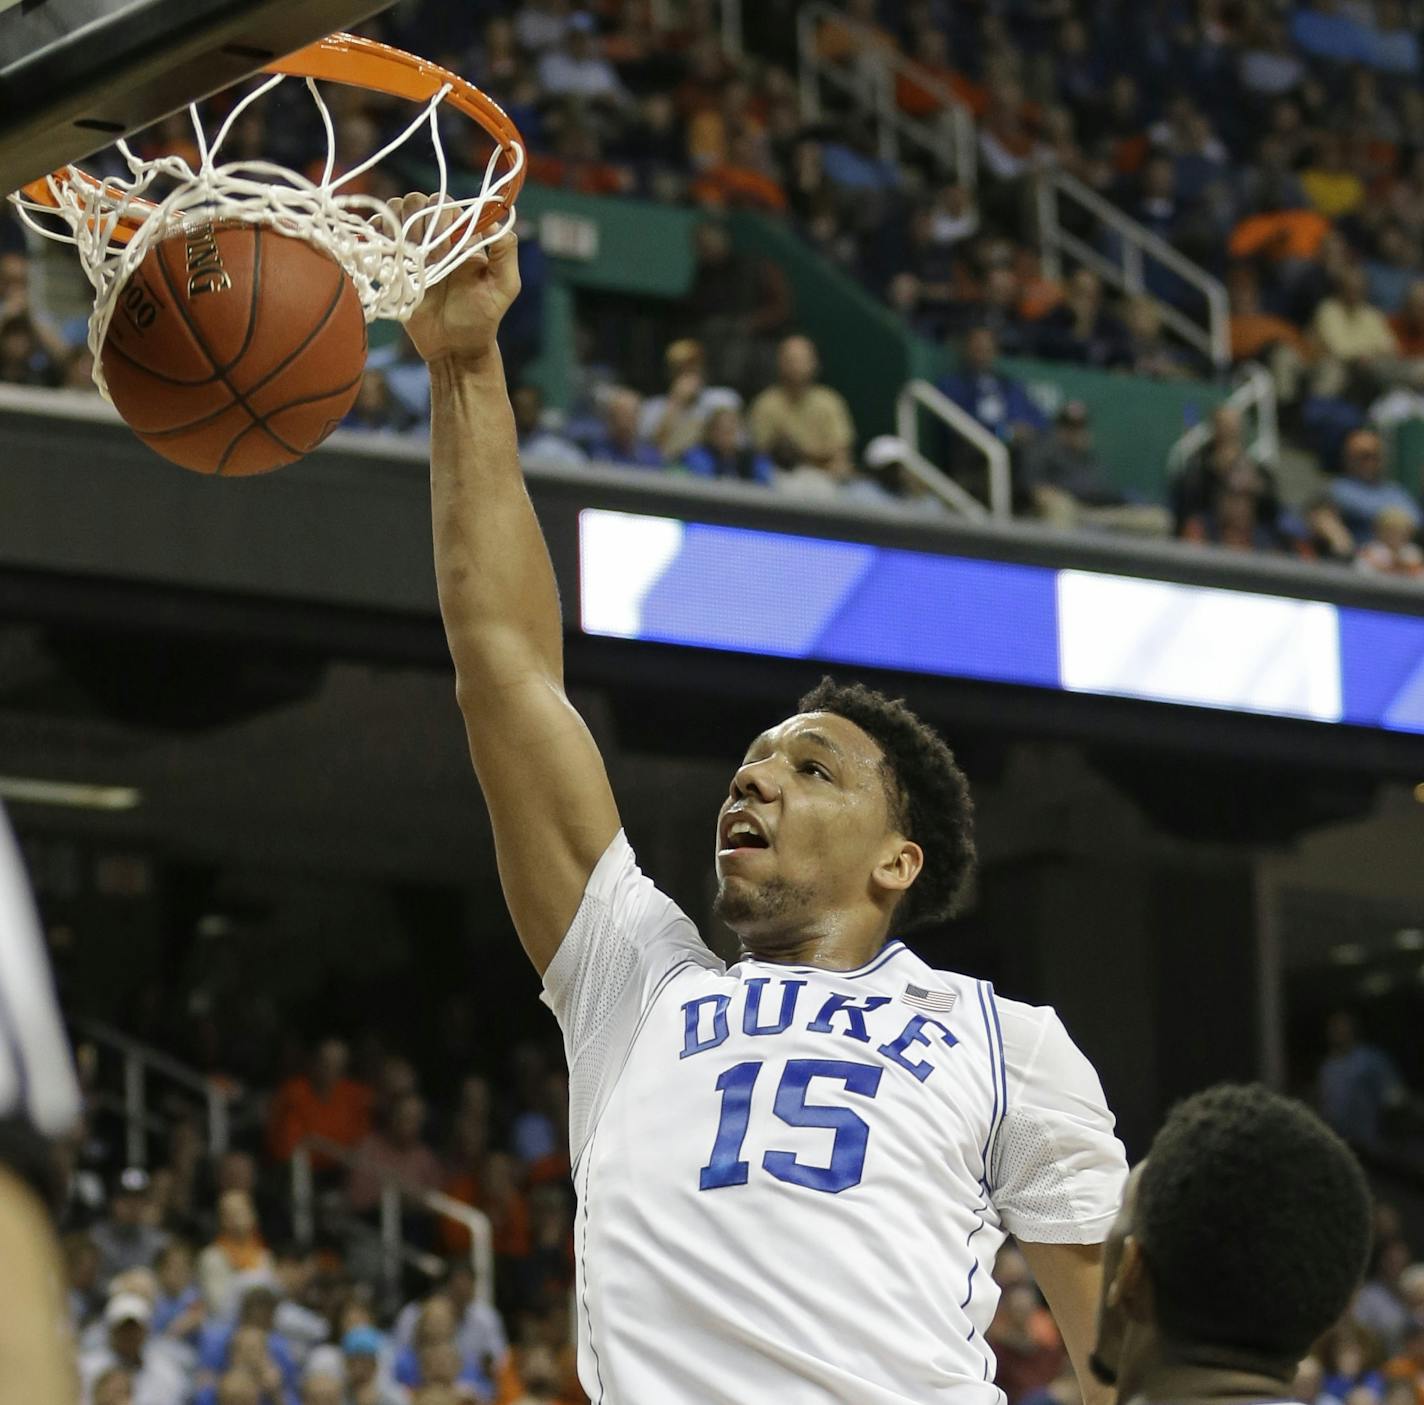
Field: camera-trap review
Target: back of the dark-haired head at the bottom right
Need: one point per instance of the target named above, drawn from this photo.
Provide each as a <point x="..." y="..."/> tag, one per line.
<point x="1241" y="1241"/>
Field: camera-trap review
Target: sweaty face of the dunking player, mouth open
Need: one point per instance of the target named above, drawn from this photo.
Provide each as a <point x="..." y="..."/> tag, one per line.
<point x="804" y="829"/>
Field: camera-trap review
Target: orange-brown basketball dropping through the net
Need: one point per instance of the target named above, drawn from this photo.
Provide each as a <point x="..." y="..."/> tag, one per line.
<point x="236" y="349"/>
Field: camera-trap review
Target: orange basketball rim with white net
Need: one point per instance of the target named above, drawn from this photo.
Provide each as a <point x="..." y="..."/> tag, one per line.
<point x="389" y="261"/>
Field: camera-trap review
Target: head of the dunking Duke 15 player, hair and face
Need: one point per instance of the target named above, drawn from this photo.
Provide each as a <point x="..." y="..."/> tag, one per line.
<point x="861" y="826"/>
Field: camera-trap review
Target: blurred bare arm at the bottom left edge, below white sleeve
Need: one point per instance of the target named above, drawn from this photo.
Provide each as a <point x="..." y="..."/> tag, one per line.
<point x="36" y="1353"/>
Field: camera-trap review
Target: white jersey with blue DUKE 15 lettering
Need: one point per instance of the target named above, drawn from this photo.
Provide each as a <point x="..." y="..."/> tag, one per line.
<point x="792" y="1182"/>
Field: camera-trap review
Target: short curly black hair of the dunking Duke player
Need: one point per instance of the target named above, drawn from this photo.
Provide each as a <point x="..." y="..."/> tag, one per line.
<point x="929" y="796"/>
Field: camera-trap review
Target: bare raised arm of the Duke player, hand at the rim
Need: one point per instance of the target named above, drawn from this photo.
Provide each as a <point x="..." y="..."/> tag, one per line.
<point x="542" y="775"/>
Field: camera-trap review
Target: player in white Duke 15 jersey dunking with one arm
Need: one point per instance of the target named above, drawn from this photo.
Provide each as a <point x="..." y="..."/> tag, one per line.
<point x="792" y="1174"/>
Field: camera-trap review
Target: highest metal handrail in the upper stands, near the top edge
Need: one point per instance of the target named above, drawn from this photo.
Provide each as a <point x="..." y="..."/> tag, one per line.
<point x="874" y="86"/>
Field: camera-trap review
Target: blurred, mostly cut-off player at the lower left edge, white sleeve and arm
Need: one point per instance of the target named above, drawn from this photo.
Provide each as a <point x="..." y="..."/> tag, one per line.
<point x="39" y="1100"/>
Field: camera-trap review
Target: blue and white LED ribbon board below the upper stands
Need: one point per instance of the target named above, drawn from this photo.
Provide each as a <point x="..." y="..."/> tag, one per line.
<point x="697" y="584"/>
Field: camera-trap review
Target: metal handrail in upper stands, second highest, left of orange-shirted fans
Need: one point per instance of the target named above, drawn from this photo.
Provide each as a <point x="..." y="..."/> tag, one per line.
<point x="1140" y="244"/>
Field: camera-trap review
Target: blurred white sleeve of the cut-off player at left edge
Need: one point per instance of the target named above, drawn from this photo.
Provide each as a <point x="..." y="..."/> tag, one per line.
<point x="36" y="1071"/>
